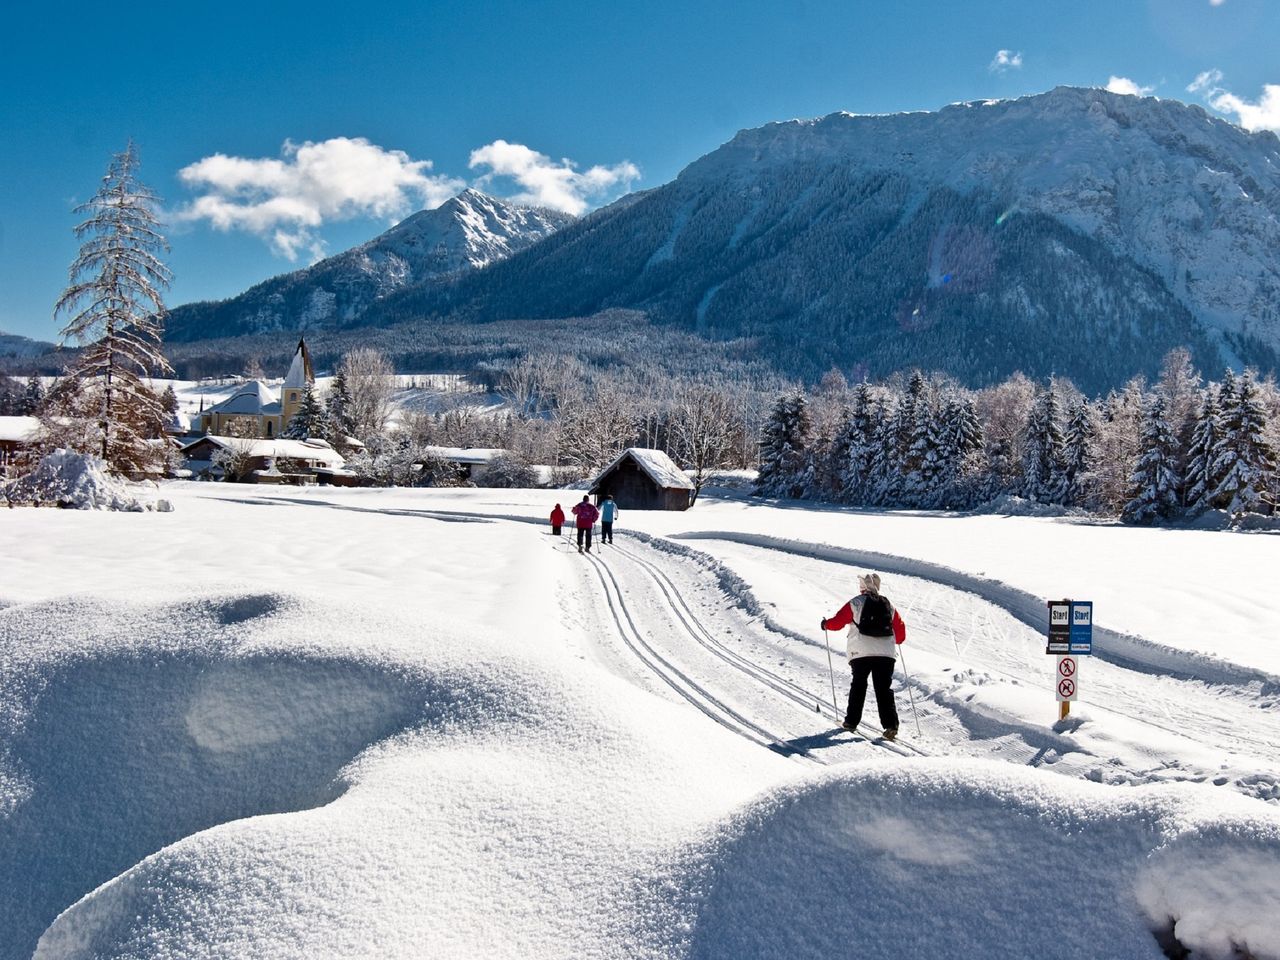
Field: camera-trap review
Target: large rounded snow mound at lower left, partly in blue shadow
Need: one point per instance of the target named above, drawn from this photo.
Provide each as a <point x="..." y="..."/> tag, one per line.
<point x="239" y="778"/>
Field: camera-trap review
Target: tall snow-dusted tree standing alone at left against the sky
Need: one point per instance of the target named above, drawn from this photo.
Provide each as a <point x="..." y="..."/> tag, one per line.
<point x="115" y="304"/>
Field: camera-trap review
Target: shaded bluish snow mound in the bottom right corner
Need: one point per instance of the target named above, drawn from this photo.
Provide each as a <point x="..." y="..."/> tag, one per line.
<point x="938" y="858"/>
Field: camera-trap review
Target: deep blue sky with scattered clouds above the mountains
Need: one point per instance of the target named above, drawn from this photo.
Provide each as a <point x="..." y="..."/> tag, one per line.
<point x="281" y="131"/>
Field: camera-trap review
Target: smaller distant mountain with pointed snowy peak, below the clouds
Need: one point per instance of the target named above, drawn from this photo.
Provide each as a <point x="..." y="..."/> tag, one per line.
<point x="467" y="234"/>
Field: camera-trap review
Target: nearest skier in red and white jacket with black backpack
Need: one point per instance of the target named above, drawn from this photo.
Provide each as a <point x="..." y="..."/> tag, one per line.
<point x="875" y="632"/>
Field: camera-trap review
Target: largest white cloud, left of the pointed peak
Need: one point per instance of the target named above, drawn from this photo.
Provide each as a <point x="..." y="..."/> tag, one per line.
<point x="286" y="200"/>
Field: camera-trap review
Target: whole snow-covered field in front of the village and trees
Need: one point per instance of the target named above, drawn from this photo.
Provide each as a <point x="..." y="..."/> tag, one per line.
<point x="310" y="724"/>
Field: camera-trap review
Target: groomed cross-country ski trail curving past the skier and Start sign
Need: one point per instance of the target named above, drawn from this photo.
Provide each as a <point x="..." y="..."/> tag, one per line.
<point x="1176" y="692"/>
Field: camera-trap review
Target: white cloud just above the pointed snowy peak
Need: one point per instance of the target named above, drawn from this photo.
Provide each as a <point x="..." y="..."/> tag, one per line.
<point x="545" y="182"/>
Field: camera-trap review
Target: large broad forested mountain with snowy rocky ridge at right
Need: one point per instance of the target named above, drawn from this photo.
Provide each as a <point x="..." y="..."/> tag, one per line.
<point x="1076" y="232"/>
